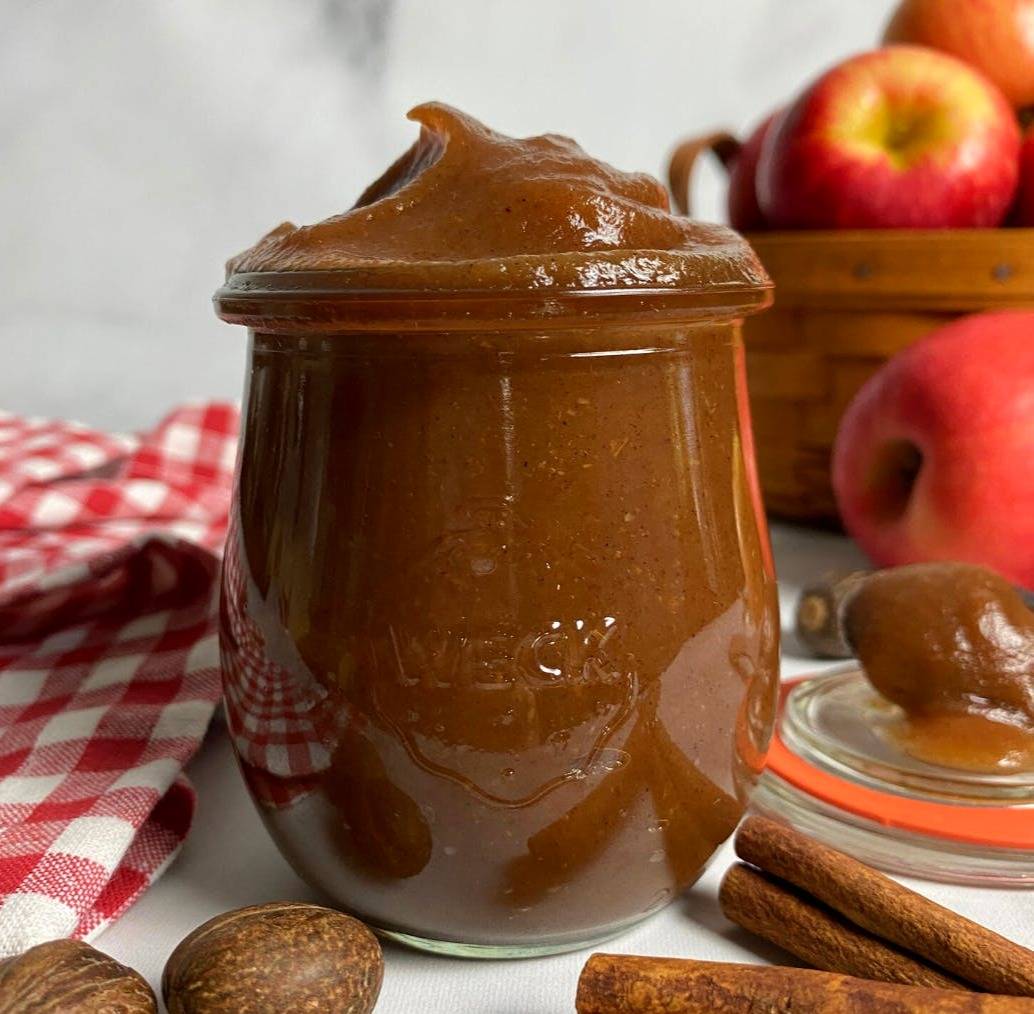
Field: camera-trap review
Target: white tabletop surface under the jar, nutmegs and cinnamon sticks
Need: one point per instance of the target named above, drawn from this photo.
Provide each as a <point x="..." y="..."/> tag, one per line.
<point x="230" y="862"/>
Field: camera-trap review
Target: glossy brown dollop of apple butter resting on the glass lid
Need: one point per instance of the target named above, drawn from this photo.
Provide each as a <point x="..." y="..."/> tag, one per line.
<point x="952" y="644"/>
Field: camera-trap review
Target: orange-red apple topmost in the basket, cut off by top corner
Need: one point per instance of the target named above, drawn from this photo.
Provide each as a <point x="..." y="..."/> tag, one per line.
<point x="995" y="37"/>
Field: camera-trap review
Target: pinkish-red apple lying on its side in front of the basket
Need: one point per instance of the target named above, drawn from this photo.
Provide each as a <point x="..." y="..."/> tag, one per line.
<point x="935" y="456"/>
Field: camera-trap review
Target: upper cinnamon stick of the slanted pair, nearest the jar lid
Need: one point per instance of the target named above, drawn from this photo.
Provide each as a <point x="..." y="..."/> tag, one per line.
<point x="888" y="909"/>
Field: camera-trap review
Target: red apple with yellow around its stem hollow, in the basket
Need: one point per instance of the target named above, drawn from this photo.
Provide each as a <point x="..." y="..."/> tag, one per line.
<point x="897" y="138"/>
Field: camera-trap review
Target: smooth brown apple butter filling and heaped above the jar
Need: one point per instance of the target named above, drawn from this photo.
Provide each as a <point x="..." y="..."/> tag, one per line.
<point x="510" y="595"/>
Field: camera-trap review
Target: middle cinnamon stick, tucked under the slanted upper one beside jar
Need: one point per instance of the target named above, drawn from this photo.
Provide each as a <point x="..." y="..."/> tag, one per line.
<point x="817" y="935"/>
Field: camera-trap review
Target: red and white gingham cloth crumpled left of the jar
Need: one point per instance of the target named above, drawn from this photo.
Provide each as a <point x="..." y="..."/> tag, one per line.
<point x="109" y="663"/>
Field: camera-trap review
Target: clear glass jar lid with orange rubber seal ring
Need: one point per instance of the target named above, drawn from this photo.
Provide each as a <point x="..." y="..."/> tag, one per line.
<point x="832" y="774"/>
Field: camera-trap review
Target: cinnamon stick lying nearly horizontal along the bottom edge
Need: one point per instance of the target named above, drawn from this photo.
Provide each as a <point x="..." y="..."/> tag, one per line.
<point x="621" y="985"/>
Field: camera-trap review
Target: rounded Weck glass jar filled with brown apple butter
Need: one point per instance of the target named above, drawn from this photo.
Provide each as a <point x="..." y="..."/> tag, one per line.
<point x="500" y="632"/>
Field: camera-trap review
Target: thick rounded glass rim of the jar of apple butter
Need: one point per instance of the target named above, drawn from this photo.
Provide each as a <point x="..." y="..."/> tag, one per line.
<point x="325" y="301"/>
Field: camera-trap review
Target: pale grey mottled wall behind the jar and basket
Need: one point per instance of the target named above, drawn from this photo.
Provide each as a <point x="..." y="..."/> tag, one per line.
<point x="144" y="142"/>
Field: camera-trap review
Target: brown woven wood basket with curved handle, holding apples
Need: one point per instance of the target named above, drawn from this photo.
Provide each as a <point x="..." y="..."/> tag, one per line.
<point x="845" y="303"/>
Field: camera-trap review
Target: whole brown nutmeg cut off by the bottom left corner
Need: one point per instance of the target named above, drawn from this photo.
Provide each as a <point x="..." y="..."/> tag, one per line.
<point x="70" y="977"/>
